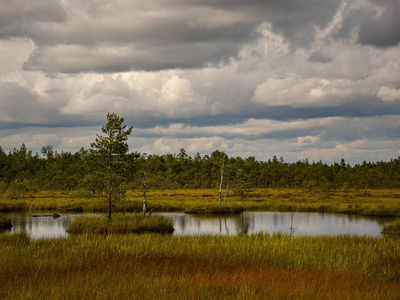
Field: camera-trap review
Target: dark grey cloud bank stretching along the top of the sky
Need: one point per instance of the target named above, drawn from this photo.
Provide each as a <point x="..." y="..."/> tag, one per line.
<point x="84" y="36"/>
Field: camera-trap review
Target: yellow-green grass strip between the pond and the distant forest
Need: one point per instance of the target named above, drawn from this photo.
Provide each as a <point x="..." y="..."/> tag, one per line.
<point x="367" y="202"/>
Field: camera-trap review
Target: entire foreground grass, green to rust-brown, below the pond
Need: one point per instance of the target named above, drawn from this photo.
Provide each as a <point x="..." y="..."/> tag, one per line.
<point x="152" y="266"/>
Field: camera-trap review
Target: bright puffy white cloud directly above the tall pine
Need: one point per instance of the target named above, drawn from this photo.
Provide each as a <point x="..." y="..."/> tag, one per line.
<point x="133" y="95"/>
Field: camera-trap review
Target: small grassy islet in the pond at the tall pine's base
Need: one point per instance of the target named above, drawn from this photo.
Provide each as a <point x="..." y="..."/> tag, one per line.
<point x="121" y="224"/>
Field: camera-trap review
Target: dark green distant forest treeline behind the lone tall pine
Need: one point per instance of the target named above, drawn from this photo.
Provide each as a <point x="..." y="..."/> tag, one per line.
<point x="22" y="171"/>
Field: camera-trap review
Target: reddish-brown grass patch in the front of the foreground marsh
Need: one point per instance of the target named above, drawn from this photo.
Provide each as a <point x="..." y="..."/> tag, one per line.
<point x="174" y="278"/>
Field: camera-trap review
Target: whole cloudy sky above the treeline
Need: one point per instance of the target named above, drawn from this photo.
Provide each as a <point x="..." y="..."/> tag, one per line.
<point x="315" y="79"/>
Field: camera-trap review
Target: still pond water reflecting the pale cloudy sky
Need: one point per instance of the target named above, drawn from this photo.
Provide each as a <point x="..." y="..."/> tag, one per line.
<point x="311" y="224"/>
